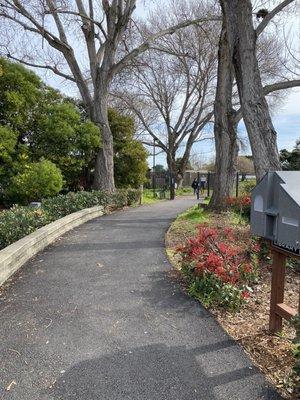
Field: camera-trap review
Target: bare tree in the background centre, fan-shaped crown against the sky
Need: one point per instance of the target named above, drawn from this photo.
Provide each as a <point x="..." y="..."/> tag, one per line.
<point x="171" y="91"/>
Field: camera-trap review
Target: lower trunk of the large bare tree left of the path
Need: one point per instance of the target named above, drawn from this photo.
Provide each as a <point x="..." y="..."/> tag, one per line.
<point x="104" y="165"/>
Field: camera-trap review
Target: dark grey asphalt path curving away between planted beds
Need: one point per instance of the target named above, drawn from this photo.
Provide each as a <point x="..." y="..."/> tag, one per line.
<point x="96" y="316"/>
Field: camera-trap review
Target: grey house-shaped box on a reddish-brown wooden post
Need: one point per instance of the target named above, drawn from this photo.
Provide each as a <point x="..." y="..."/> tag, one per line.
<point x="275" y="215"/>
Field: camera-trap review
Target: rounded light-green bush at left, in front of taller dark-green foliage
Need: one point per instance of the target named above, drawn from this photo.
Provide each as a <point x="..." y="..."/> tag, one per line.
<point x="39" y="180"/>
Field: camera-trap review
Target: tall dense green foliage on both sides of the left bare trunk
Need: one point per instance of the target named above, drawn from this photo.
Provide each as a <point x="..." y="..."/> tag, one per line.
<point x="37" y="122"/>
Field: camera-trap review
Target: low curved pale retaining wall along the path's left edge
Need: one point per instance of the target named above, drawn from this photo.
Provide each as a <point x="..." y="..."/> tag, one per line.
<point x="15" y="255"/>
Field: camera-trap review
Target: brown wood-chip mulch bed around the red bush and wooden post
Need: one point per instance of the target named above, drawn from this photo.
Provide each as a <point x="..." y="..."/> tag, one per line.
<point x="271" y="353"/>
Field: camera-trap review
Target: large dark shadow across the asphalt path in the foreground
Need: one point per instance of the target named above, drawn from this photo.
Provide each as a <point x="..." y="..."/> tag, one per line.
<point x="153" y="372"/>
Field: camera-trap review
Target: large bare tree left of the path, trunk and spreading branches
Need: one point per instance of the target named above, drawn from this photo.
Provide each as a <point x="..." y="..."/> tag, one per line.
<point x="84" y="42"/>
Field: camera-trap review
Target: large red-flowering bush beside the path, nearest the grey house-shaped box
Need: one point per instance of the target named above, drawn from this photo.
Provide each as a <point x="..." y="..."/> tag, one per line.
<point x="218" y="269"/>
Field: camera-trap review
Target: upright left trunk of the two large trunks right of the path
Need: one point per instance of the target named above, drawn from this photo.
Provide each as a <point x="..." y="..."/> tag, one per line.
<point x="225" y="131"/>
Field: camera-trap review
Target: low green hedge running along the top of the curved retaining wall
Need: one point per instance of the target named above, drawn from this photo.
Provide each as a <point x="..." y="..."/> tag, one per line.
<point x="19" y="221"/>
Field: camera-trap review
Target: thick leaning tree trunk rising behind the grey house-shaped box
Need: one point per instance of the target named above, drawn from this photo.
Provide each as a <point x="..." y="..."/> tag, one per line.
<point x="242" y="47"/>
